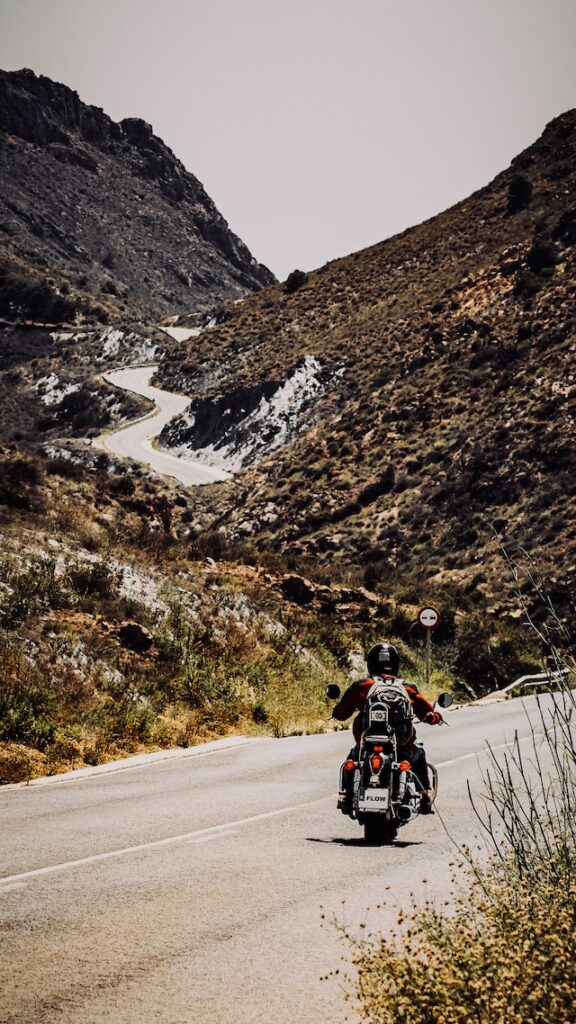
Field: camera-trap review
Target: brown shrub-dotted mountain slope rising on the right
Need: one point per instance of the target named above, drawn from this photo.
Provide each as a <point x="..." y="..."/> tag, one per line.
<point x="446" y="416"/>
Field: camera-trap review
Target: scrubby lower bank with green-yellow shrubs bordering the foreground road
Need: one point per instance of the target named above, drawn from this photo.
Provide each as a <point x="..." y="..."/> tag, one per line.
<point x="118" y="634"/>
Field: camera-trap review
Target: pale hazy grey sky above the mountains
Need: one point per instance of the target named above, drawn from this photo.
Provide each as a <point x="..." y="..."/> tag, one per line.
<point x="317" y="126"/>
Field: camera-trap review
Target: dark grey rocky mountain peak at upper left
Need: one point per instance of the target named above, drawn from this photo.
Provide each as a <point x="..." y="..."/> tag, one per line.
<point x="108" y="210"/>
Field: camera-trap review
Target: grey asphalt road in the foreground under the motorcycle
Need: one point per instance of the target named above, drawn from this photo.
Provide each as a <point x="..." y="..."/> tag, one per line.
<point x="193" y="890"/>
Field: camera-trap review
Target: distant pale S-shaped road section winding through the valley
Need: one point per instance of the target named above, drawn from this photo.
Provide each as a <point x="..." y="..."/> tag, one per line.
<point x="135" y="442"/>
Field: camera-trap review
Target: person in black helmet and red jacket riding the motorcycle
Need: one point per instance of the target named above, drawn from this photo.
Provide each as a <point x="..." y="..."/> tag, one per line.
<point x="383" y="663"/>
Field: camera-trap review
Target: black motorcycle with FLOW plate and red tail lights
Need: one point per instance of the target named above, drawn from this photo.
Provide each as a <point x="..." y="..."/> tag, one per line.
<point x="380" y="792"/>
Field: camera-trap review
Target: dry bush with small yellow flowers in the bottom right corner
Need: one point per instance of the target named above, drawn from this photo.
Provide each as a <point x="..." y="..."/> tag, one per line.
<point x="507" y="955"/>
